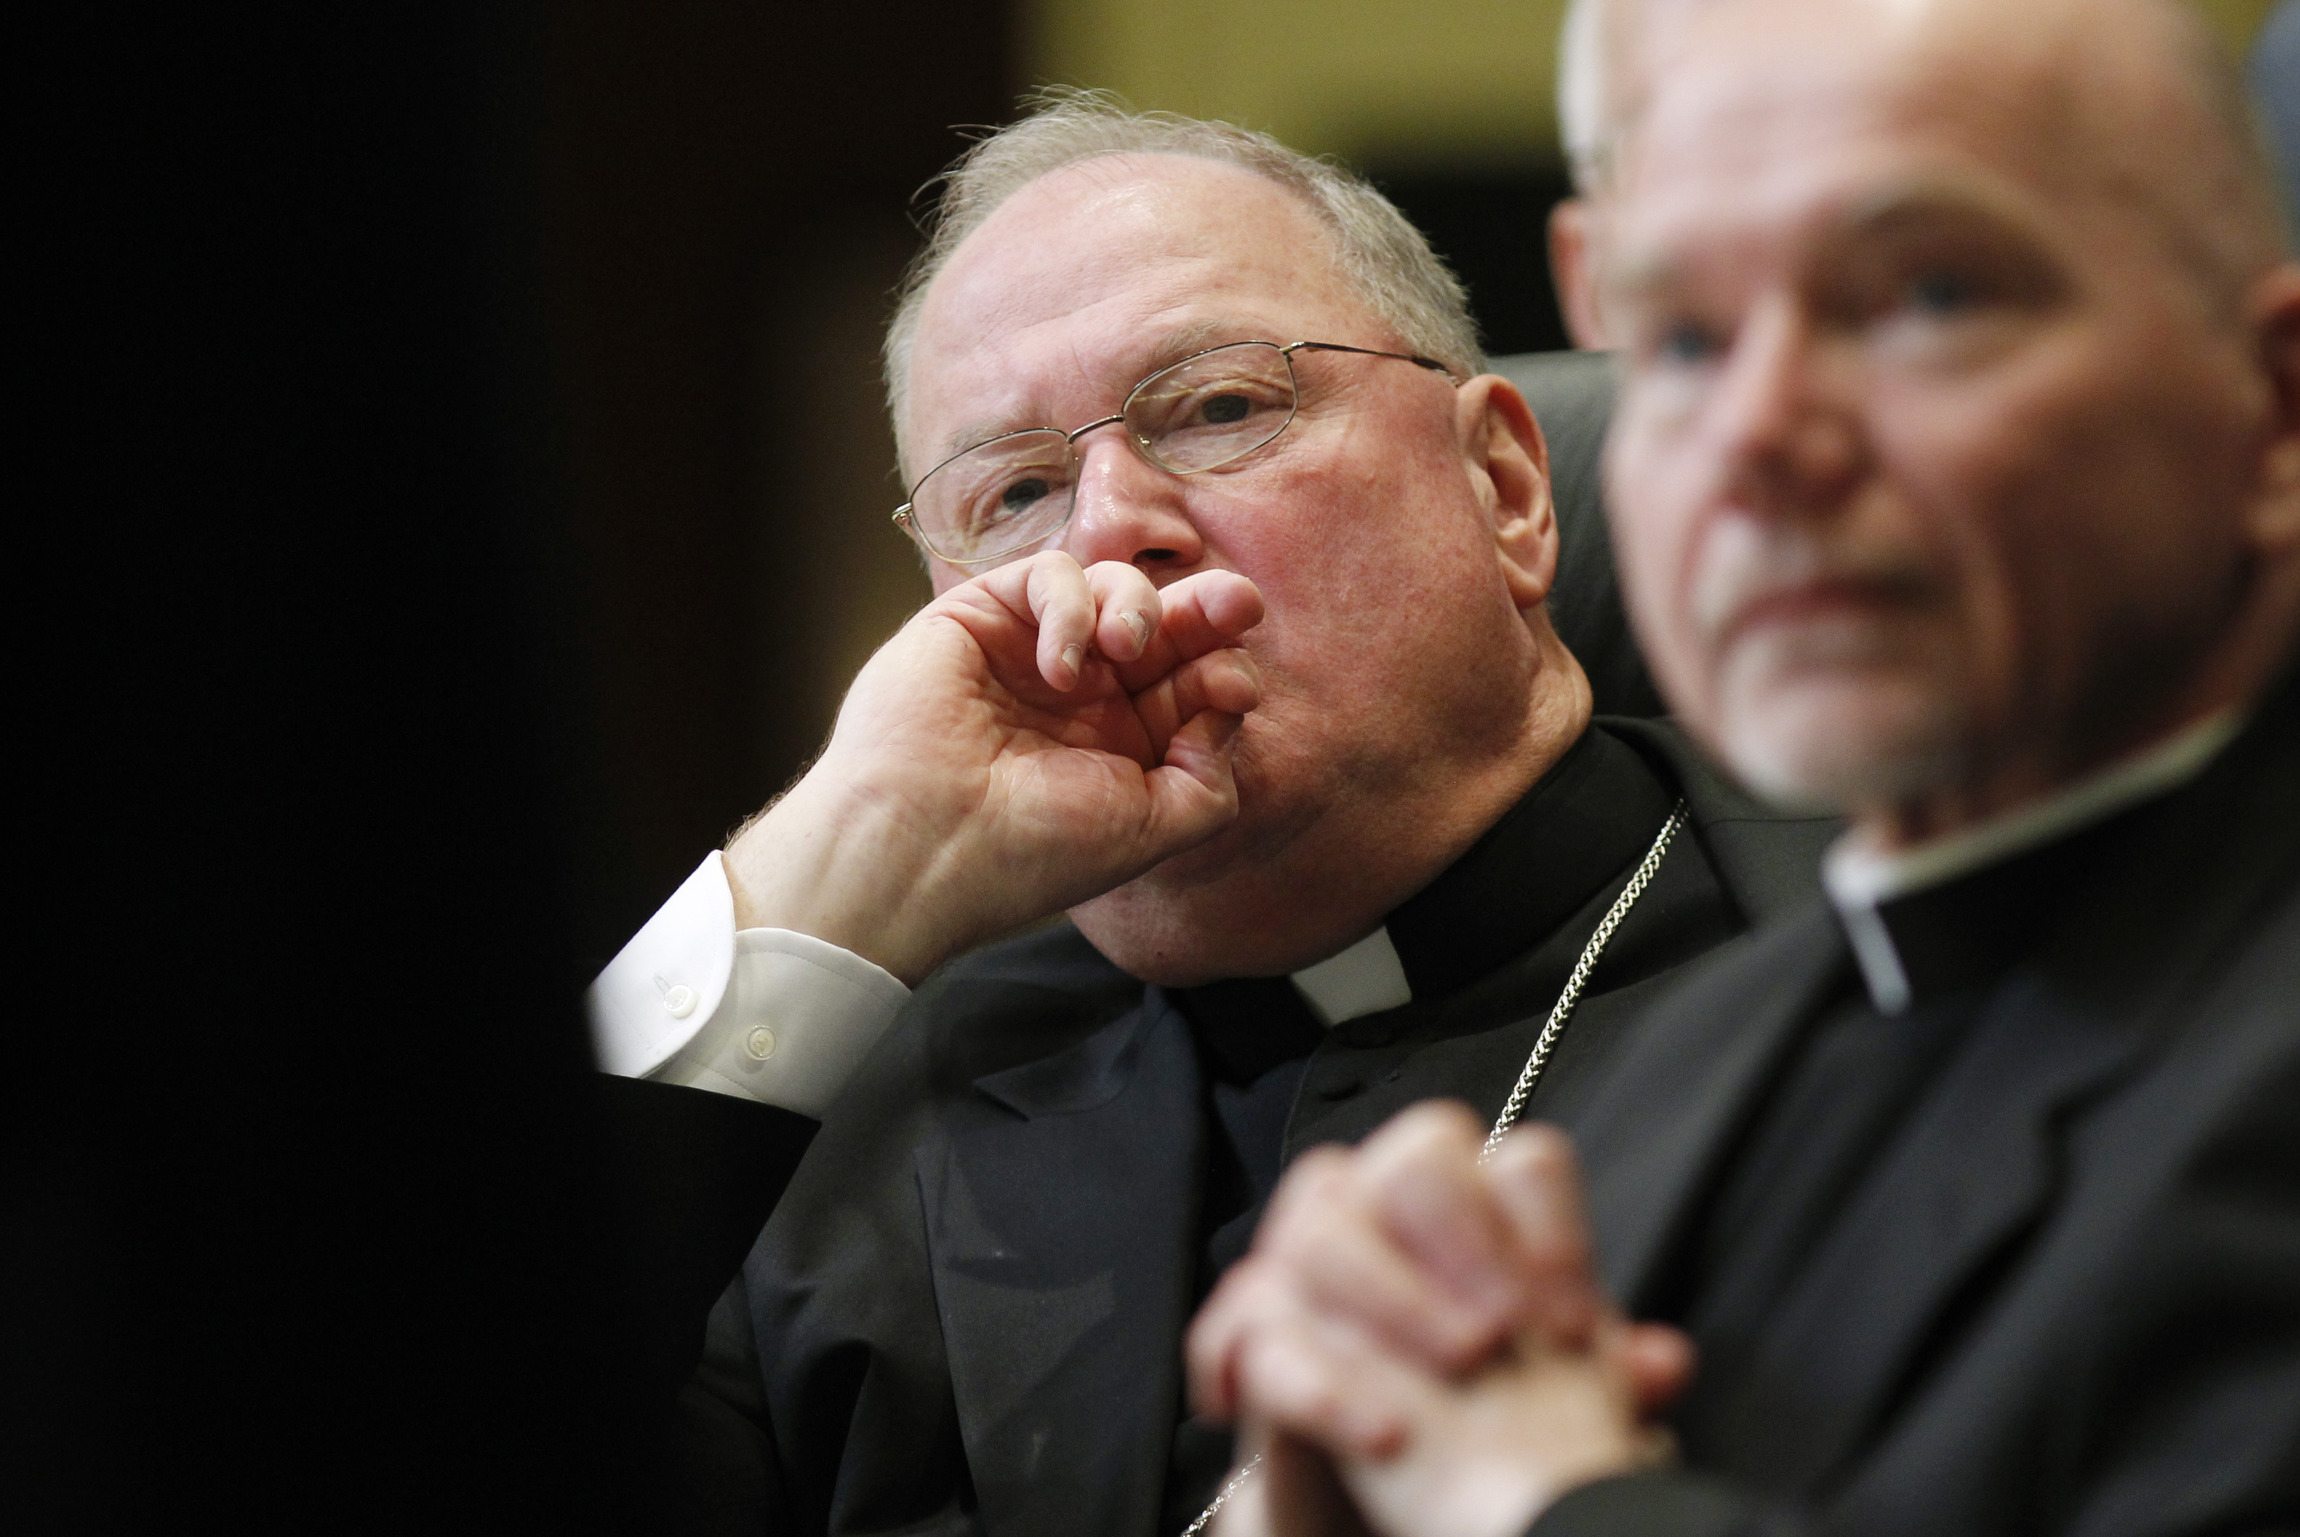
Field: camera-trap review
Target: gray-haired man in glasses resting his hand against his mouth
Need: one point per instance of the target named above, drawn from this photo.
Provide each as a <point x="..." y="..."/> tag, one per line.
<point x="1255" y="675"/>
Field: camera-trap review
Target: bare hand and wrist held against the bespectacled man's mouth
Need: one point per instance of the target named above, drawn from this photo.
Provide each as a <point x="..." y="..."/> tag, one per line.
<point x="1027" y="742"/>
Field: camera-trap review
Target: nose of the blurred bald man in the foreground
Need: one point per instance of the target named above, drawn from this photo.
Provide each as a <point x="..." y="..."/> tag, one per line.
<point x="1788" y="418"/>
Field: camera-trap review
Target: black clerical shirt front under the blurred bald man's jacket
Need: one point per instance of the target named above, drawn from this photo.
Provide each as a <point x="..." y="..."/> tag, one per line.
<point x="1837" y="1188"/>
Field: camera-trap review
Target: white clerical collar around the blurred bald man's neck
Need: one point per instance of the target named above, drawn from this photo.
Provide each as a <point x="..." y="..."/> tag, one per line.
<point x="1860" y="875"/>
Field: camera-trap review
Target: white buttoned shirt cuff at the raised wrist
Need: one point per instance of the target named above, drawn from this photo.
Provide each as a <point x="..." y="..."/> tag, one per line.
<point x="760" y="1014"/>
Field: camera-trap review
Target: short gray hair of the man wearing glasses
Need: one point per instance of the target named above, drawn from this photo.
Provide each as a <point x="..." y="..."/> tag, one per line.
<point x="1379" y="252"/>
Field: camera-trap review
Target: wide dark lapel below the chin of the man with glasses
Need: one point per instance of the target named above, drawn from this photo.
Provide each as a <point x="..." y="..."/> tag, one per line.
<point x="1059" y="1237"/>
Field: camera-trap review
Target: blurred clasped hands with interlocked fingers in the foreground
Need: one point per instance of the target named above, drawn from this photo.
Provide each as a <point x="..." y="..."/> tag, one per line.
<point x="1418" y="1345"/>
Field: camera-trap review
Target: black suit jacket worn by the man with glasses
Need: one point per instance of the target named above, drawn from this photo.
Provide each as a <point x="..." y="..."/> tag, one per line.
<point x="967" y="1313"/>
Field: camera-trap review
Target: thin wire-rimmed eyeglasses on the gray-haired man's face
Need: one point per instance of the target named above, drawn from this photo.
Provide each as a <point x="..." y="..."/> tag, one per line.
<point x="1202" y="413"/>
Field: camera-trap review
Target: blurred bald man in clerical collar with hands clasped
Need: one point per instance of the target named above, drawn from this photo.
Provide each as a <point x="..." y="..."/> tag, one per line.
<point x="1956" y="482"/>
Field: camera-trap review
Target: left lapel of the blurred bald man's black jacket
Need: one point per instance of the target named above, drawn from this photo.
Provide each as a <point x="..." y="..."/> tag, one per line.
<point x="1655" y="1131"/>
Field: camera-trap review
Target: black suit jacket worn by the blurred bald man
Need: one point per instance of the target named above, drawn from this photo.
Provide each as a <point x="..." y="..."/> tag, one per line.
<point x="2078" y="1297"/>
